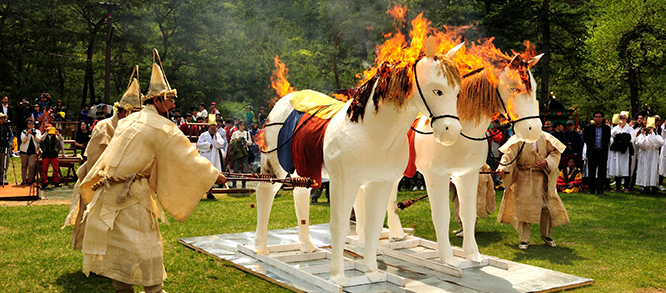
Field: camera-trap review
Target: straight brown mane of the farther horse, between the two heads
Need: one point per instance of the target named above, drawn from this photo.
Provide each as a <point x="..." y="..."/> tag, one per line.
<point x="478" y="97"/>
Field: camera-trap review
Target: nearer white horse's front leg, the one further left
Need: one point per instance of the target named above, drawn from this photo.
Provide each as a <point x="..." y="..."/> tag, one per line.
<point x="343" y="193"/>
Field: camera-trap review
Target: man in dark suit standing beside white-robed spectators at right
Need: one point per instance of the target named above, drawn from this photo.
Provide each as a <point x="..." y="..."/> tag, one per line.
<point x="597" y="137"/>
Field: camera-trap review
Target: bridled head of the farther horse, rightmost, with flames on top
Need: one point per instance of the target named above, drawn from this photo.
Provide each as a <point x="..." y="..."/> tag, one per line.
<point x="517" y="90"/>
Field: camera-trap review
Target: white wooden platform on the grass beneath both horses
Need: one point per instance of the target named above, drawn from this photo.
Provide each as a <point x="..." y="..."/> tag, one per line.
<point x="411" y="265"/>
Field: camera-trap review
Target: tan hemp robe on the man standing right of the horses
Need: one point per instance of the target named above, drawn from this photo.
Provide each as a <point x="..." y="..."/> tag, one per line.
<point x="527" y="190"/>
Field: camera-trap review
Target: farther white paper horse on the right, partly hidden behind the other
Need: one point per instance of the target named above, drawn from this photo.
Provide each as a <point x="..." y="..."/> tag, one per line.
<point x="478" y="102"/>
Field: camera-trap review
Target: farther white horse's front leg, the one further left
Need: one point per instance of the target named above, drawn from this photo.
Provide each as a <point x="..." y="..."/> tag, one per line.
<point x="438" y="195"/>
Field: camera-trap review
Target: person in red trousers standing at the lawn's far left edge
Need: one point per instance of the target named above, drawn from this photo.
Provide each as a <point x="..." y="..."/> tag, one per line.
<point x="51" y="148"/>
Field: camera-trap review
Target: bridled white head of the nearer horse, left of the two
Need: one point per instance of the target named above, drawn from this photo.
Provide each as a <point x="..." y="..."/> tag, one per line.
<point x="437" y="86"/>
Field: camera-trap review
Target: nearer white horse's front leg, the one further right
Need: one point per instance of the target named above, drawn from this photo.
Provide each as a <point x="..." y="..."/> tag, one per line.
<point x="376" y="195"/>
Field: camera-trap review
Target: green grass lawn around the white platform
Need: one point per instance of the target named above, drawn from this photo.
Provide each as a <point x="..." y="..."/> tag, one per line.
<point x="618" y="239"/>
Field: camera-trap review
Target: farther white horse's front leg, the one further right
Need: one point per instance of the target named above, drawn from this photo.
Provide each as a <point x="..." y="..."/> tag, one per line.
<point x="467" y="190"/>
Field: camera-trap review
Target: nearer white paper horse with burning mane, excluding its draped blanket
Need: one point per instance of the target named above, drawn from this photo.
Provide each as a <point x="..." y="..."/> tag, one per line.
<point x="365" y="149"/>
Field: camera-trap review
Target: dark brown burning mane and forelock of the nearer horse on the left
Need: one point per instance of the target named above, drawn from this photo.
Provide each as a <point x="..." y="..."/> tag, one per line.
<point x="394" y="85"/>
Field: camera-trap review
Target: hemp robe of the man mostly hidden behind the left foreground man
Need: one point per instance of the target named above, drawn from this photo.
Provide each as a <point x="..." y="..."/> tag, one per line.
<point x="99" y="139"/>
